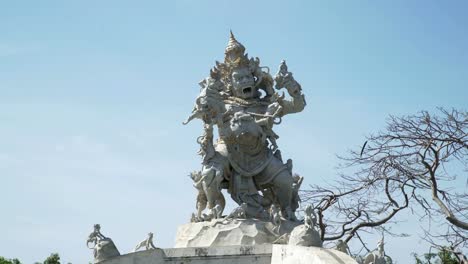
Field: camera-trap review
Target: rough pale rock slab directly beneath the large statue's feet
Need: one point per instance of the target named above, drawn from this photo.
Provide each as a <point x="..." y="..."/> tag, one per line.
<point x="246" y="232"/>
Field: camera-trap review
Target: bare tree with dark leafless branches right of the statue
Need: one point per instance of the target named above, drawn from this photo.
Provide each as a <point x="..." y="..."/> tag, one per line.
<point x="412" y="164"/>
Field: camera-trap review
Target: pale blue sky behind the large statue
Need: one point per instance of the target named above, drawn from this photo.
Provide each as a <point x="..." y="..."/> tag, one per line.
<point x="92" y="95"/>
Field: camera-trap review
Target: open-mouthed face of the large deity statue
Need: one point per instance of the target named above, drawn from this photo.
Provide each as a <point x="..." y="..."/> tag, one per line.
<point x="243" y="83"/>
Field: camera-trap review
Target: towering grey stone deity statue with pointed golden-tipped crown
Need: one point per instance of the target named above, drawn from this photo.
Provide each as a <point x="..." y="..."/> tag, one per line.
<point x="239" y="98"/>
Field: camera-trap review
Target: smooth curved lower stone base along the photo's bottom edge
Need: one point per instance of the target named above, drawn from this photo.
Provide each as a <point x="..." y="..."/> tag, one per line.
<point x="260" y="254"/>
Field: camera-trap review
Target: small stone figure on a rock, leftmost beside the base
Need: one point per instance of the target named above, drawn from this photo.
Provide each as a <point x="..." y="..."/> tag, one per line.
<point x="103" y="247"/>
